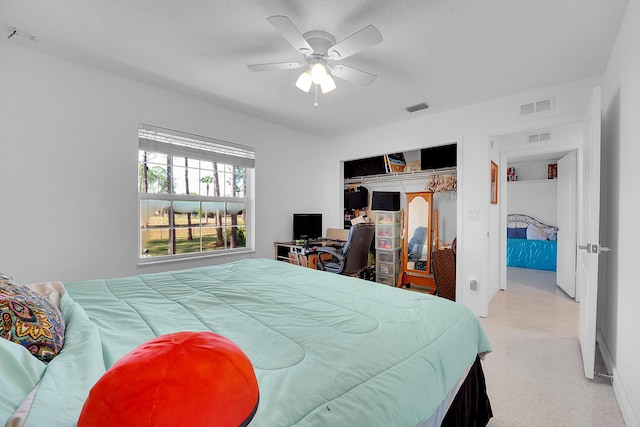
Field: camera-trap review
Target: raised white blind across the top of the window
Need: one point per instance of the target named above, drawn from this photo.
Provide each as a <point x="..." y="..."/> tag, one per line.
<point x="176" y="143"/>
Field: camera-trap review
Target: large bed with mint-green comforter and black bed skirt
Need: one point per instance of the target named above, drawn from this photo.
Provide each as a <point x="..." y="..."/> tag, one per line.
<point x="326" y="349"/>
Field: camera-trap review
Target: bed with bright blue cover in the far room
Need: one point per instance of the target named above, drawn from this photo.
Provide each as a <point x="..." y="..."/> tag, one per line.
<point x="531" y="243"/>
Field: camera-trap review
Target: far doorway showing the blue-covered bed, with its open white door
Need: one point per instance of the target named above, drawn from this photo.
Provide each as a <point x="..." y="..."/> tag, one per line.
<point x="545" y="199"/>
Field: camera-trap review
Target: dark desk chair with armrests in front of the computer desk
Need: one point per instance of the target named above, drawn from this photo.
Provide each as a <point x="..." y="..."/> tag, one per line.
<point x="354" y="256"/>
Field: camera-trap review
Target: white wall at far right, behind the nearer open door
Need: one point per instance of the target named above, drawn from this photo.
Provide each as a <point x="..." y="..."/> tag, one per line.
<point x="619" y="291"/>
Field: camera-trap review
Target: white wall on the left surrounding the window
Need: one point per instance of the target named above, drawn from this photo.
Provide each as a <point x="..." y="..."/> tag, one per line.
<point x="68" y="144"/>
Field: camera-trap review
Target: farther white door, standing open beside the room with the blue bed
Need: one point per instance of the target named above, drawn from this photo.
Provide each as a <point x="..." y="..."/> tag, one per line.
<point x="566" y="260"/>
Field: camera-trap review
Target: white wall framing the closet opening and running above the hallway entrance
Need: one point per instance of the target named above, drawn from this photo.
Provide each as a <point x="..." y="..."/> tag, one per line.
<point x="471" y="127"/>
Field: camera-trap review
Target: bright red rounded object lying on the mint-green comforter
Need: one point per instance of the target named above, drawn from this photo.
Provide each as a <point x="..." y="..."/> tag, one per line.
<point x="186" y="378"/>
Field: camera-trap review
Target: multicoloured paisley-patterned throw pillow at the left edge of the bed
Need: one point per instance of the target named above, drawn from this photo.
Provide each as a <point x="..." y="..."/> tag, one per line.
<point x="30" y="320"/>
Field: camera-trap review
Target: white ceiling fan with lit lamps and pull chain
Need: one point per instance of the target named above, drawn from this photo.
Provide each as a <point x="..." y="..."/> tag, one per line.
<point x="320" y="51"/>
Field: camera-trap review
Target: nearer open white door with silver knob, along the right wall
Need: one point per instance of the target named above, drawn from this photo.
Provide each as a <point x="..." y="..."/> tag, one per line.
<point x="589" y="232"/>
